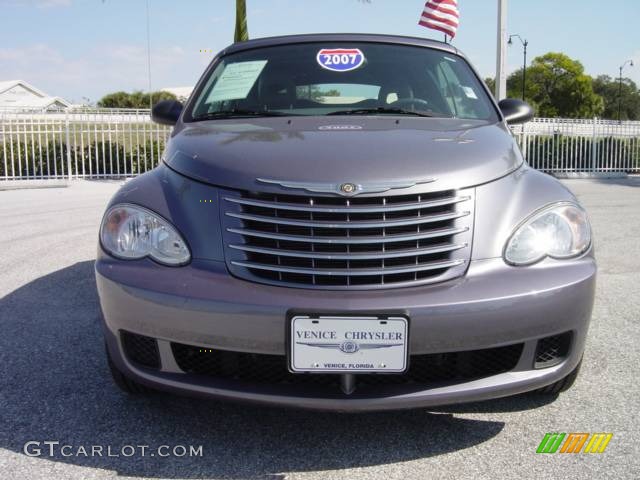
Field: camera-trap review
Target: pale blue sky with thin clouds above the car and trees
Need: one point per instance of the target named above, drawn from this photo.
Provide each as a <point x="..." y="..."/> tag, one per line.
<point x="88" y="48"/>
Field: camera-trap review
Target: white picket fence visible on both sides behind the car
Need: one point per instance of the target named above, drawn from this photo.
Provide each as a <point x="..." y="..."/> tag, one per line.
<point x="117" y="143"/>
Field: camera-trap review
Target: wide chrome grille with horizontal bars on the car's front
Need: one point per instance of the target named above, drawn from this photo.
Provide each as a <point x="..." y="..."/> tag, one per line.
<point x="348" y="243"/>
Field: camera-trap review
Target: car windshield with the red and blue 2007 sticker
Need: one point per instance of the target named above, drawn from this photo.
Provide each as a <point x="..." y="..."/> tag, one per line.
<point x="350" y="78"/>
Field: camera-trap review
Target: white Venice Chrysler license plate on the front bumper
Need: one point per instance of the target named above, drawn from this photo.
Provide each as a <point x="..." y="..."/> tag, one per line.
<point x="349" y="344"/>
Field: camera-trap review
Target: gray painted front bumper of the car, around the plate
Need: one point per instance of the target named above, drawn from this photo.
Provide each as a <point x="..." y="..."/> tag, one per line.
<point x="201" y="305"/>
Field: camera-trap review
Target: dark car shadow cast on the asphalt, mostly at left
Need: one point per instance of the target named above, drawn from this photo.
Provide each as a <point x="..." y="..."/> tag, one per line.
<point x="55" y="386"/>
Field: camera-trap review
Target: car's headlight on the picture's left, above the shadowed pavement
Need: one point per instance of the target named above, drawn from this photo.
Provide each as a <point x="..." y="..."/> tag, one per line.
<point x="132" y="232"/>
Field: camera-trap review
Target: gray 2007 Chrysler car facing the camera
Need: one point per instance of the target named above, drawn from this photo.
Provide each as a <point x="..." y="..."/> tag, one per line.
<point x="344" y="222"/>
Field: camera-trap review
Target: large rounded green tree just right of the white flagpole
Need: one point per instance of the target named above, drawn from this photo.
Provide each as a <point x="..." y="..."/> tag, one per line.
<point x="557" y="87"/>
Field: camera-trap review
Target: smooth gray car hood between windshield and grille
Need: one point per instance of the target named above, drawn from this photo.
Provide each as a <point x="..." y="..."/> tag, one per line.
<point x="235" y="153"/>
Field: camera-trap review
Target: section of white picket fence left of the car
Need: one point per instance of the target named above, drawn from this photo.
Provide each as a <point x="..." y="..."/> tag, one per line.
<point x="79" y="143"/>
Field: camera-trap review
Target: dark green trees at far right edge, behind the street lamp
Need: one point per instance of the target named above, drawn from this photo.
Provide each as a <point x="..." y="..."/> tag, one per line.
<point x="609" y="89"/>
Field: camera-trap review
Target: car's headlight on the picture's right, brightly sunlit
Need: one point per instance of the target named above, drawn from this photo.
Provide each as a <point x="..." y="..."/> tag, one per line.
<point x="558" y="231"/>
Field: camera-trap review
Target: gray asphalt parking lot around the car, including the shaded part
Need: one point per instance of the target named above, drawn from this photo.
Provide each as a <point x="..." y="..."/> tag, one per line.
<point x="54" y="382"/>
